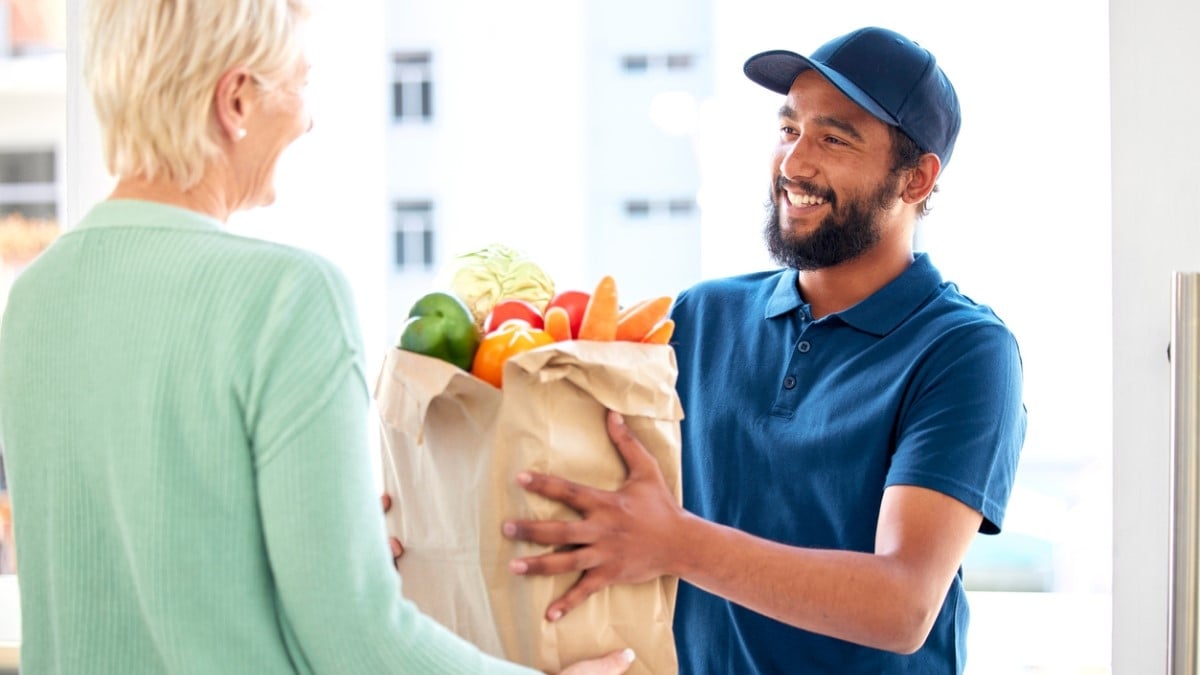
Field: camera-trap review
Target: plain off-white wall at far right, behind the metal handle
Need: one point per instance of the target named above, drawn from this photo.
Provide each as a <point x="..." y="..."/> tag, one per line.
<point x="1156" y="231"/>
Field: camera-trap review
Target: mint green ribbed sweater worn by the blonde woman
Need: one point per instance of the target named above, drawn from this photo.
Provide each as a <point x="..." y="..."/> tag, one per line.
<point x="184" y="419"/>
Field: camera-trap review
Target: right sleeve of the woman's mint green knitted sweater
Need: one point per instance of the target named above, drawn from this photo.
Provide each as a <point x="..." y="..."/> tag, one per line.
<point x="339" y="600"/>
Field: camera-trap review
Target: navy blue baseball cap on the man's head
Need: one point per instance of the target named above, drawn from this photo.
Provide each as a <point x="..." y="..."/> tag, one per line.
<point x="892" y="77"/>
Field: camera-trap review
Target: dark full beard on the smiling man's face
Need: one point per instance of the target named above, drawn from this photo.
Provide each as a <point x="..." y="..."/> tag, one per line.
<point x="850" y="231"/>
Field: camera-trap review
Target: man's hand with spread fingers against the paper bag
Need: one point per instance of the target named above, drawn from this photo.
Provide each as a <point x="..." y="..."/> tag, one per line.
<point x="625" y="537"/>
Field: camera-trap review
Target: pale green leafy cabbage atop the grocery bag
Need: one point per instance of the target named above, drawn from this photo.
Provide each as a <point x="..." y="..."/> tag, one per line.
<point x="497" y="273"/>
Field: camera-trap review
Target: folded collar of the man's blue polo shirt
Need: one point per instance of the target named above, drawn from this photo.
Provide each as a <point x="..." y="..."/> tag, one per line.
<point x="880" y="313"/>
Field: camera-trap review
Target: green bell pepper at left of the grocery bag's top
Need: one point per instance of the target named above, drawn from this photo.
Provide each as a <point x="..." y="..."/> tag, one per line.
<point x="441" y="326"/>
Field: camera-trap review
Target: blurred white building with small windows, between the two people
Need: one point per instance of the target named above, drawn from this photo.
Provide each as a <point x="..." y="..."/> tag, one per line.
<point x="575" y="145"/>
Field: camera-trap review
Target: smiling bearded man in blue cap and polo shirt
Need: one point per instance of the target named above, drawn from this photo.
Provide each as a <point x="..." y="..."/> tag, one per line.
<point x="853" y="420"/>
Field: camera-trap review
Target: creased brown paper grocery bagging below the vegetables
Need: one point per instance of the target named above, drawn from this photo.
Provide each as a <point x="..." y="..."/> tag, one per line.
<point x="452" y="446"/>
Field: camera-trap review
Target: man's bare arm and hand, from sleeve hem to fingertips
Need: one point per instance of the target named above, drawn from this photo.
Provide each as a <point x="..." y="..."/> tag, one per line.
<point x="886" y="600"/>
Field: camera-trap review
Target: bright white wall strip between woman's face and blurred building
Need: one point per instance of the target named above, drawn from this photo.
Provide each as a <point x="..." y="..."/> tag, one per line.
<point x="331" y="184"/>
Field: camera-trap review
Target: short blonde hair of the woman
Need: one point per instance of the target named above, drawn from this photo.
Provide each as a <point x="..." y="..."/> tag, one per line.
<point x="153" y="69"/>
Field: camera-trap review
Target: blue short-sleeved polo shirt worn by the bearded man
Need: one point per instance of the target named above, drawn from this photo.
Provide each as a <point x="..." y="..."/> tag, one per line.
<point x="795" y="428"/>
